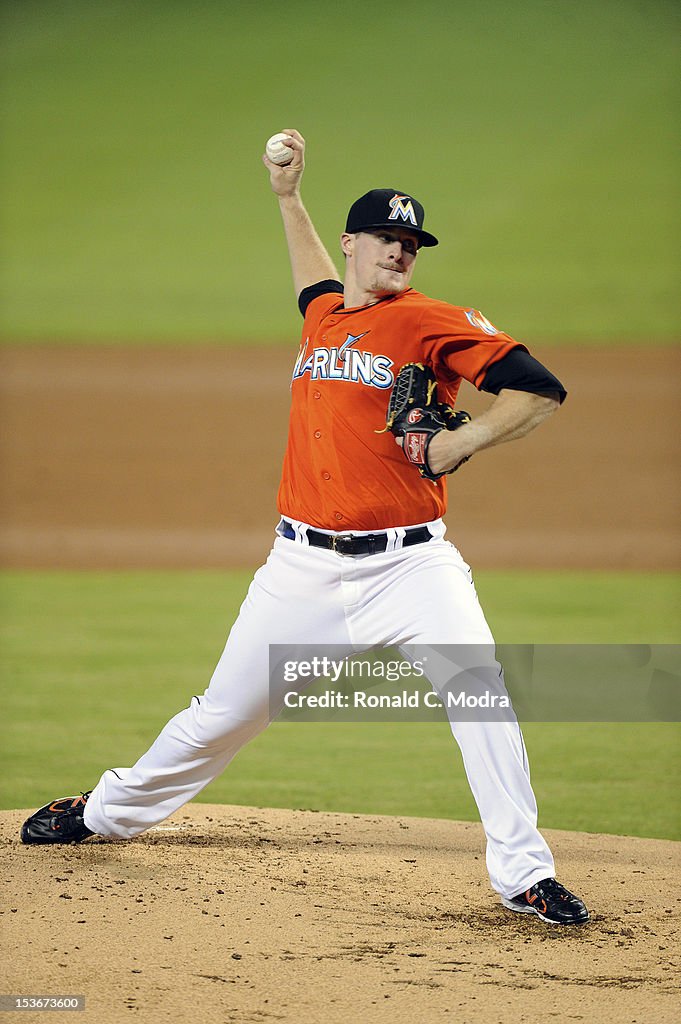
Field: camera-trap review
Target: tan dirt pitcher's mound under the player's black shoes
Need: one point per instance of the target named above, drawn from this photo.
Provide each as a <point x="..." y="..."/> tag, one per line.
<point x="244" y="915"/>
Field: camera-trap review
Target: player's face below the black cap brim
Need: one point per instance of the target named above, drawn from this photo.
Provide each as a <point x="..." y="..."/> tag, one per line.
<point x="384" y="260"/>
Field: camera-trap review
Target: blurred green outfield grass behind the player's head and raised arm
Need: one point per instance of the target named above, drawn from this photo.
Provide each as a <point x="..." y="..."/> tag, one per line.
<point x="541" y="138"/>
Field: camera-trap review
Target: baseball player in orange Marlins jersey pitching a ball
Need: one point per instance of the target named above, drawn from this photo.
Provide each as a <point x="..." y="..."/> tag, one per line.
<point x="360" y="560"/>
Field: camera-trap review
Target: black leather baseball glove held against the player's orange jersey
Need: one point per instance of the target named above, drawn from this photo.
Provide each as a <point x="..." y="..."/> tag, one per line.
<point x="416" y="416"/>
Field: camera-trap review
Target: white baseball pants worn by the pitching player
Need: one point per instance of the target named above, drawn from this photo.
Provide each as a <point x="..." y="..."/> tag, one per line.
<point x="404" y="596"/>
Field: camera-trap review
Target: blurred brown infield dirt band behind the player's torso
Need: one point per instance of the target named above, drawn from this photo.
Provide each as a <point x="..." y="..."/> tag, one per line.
<point x="119" y="457"/>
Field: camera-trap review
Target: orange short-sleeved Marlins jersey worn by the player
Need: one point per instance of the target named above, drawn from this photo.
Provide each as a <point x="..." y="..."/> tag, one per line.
<point x="340" y="473"/>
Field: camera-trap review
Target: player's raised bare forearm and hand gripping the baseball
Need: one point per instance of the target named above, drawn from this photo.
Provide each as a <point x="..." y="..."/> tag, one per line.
<point x="310" y="261"/>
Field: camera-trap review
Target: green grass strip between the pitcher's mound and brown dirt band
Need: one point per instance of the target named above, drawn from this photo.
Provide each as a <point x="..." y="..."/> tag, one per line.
<point x="95" y="664"/>
